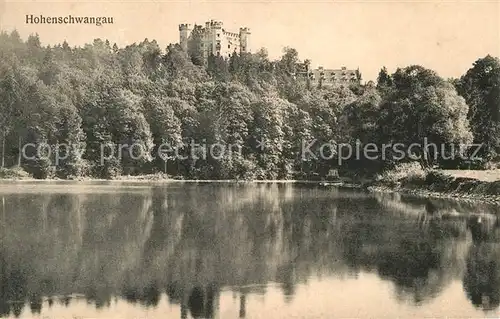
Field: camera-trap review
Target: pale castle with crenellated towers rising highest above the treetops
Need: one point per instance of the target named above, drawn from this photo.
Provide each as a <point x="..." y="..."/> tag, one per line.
<point x="215" y="39"/>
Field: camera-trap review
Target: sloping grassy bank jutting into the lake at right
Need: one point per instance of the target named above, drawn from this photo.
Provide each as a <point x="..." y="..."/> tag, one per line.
<point x="410" y="179"/>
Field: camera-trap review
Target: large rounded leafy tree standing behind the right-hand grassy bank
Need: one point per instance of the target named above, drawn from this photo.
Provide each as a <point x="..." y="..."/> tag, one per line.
<point x="424" y="107"/>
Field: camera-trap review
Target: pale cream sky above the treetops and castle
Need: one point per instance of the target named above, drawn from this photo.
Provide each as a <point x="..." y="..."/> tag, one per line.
<point x="446" y="36"/>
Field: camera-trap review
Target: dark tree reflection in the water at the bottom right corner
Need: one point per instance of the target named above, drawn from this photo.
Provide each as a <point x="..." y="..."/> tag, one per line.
<point x="482" y="276"/>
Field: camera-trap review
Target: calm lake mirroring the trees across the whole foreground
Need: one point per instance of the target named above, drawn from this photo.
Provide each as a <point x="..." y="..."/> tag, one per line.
<point x="222" y="250"/>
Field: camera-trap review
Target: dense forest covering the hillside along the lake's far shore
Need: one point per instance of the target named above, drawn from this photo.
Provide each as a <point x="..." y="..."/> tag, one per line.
<point x="101" y="94"/>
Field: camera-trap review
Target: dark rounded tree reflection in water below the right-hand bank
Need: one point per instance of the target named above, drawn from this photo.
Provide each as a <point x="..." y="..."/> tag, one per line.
<point x="420" y="261"/>
